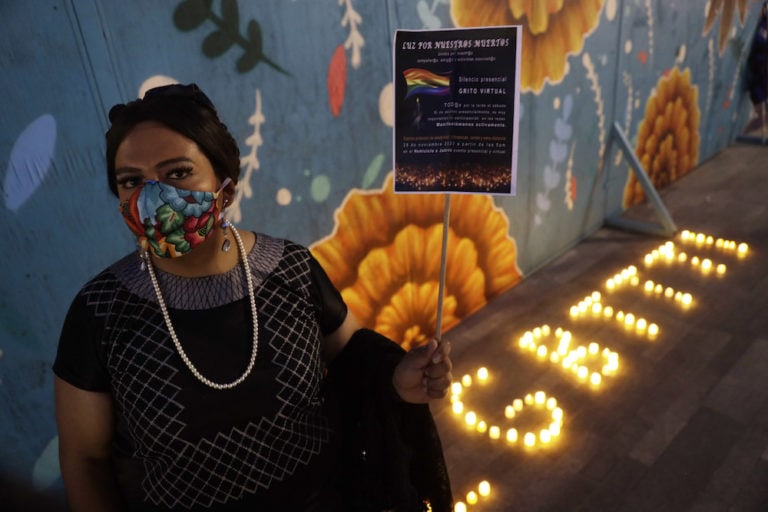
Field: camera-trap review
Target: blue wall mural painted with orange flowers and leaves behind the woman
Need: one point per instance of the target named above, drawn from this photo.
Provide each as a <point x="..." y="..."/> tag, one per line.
<point x="306" y="88"/>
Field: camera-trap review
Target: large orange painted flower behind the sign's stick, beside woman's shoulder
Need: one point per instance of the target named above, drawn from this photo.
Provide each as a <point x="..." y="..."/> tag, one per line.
<point x="384" y="255"/>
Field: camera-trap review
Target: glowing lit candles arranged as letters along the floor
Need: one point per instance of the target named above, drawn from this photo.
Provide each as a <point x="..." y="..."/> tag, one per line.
<point x="589" y="363"/>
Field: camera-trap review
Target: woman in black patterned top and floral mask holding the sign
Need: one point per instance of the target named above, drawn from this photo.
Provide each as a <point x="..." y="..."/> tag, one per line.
<point x="220" y="370"/>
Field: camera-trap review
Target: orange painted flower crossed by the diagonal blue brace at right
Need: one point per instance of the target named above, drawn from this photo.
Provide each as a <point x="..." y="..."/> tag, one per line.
<point x="668" y="137"/>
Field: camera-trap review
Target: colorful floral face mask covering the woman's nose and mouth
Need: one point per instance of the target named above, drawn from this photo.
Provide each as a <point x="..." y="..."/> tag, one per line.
<point x="170" y="221"/>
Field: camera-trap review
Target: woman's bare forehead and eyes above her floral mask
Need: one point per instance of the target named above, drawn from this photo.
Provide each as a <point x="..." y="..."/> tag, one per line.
<point x="151" y="151"/>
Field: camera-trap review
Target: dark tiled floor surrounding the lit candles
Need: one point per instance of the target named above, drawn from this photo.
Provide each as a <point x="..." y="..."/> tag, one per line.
<point x="683" y="424"/>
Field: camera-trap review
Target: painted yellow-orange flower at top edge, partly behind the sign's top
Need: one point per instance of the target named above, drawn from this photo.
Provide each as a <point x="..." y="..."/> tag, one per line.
<point x="552" y="30"/>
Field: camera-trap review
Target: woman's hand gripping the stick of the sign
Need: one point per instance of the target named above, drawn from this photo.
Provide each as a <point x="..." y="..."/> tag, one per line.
<point x="424" y="373"/>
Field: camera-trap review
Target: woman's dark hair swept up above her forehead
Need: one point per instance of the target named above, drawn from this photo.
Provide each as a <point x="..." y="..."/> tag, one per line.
<point x="184" y="109"/>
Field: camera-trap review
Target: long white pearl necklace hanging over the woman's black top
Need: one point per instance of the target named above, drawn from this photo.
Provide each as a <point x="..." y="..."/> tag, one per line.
<point x="172" y="331"/>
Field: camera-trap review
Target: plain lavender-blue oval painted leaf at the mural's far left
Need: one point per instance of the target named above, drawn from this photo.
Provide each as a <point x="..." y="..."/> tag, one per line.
<point x="30" y="161"/>
